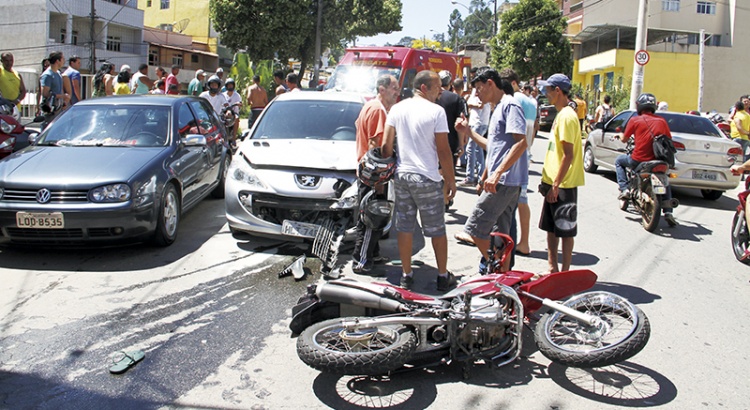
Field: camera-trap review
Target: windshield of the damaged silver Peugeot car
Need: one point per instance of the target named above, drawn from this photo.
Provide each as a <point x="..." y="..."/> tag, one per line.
<point x="306" y="119"/>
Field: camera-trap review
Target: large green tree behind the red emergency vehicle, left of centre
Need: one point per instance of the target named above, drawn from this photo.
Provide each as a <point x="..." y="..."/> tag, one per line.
<point x="269" y="29"/>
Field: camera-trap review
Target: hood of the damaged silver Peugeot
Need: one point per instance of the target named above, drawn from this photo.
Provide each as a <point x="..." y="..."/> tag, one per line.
<point x="299" y="153"/>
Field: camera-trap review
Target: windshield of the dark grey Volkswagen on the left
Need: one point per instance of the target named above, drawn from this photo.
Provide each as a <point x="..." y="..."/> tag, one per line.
<point x="109" y="126"/>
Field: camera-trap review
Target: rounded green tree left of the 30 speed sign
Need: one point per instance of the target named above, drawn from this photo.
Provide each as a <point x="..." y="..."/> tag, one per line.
<point x="531" y="40"/>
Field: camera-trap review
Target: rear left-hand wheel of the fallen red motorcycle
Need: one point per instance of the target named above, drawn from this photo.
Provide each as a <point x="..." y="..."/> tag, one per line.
<point x="329" y="346"/>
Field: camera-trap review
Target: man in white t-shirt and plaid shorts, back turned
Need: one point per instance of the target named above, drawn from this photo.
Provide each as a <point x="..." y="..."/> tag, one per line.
<point x="422" y="130"/>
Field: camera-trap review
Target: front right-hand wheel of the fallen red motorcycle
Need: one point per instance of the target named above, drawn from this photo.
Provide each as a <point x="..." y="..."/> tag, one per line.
<point x="622" y="331"/>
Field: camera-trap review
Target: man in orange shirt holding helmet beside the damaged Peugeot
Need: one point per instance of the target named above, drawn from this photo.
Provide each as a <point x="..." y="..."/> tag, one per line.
<point x="373" y="173"/>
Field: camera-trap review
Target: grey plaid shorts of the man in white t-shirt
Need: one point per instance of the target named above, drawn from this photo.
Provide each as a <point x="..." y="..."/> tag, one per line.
<point x="416" y="192"/>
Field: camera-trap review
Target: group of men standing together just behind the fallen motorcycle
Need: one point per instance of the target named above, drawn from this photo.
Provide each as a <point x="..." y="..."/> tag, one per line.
<point x="488" y="128"/>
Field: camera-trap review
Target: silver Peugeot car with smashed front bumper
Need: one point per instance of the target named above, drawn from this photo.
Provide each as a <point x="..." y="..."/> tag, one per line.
<point x="296" y="169"/>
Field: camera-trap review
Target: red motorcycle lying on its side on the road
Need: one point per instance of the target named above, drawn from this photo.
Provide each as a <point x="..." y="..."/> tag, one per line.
<point x="350" y="327"/>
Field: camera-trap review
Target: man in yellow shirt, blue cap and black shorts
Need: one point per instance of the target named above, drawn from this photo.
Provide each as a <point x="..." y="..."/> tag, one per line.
<point x="562" y="174"/>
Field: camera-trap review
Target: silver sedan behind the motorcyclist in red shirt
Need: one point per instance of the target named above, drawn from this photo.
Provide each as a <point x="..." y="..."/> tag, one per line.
<point x="704" y="154"/>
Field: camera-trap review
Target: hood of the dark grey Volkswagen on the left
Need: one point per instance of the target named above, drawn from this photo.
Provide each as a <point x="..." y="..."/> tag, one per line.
<point x="71" y="166"/>
